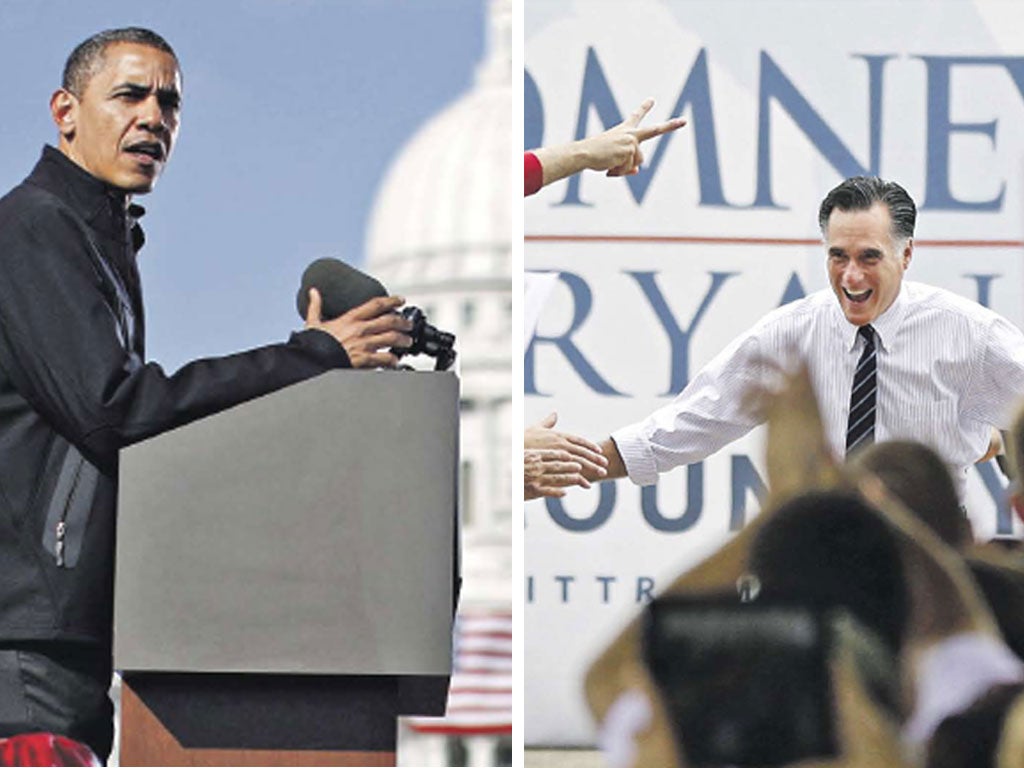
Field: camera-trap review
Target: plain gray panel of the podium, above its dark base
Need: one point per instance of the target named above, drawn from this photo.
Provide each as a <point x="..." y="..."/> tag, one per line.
<point x="310" y="531"/>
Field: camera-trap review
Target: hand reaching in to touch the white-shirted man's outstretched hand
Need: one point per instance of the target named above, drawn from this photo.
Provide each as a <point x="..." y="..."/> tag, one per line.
<point x="554" y="461"/>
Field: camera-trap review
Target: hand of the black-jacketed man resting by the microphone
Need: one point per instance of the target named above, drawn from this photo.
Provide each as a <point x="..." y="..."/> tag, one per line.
<point x="366" y="330"/>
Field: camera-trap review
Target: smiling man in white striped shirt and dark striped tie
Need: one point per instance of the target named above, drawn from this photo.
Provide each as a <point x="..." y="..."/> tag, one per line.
<point x="889" y="359"/>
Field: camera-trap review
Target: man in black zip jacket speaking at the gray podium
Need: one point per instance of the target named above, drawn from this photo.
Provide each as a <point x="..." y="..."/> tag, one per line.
<point x="75" y="386"/>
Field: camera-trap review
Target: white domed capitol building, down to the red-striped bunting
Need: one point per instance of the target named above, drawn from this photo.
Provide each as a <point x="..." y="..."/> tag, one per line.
<point x="441" y="235"/>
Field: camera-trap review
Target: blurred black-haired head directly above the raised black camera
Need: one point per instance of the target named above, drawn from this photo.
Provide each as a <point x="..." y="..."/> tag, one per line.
<point x="831" y="550"/>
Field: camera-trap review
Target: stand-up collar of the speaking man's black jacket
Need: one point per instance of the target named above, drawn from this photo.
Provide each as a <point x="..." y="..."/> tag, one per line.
<point x="103" y="207"/>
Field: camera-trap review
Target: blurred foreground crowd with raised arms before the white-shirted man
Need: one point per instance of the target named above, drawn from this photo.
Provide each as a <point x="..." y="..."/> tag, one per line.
<point x="922" y="626"/>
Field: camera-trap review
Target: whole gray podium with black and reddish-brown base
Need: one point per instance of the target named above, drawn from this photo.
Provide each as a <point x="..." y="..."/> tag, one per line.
<point x="286" y="575"/>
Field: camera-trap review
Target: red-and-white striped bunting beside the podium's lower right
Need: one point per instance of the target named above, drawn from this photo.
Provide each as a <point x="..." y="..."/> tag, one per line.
<point x="481" y="694"/>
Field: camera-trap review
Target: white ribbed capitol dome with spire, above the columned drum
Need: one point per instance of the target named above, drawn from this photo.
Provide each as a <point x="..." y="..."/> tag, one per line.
<point x="443" y="214"/>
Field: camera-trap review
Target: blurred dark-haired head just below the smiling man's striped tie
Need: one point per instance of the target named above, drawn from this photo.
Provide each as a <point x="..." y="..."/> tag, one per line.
<point x="919" y="478"/>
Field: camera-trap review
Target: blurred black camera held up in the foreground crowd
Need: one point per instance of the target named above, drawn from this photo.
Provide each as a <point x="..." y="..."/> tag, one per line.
<point x="749" y="685"/>
